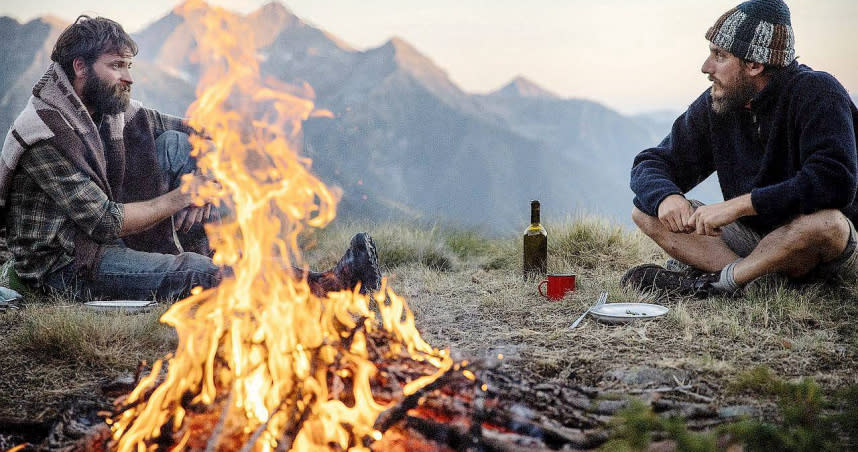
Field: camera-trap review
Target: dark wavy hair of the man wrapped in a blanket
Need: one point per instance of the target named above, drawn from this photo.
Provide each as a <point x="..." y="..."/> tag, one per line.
<point x="89" y="38"/>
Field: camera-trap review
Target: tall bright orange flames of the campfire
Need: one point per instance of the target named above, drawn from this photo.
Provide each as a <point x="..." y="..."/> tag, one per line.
<point x="261" y="362"/>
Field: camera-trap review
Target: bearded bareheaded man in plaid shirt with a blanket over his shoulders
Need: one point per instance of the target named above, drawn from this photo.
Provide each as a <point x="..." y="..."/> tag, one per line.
<point x="91" y="180"/>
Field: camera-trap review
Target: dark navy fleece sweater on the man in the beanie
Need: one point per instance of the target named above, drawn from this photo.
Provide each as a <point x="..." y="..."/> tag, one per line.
<point x="793" y="151"/>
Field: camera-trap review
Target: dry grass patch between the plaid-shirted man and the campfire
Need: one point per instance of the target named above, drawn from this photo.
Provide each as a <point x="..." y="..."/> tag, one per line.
<point x="56" y="353"/>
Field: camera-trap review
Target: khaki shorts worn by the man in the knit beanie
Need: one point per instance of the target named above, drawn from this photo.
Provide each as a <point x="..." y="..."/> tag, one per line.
<point x="742" y="240"/>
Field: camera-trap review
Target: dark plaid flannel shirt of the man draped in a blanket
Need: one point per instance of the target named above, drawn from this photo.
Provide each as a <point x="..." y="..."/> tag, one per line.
<point x="51" y="200"/>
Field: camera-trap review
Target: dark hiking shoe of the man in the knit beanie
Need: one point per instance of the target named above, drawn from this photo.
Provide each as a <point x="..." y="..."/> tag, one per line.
<point x="666" y="282"/>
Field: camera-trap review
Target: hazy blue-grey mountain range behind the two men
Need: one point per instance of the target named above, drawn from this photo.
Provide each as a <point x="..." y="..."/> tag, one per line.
<point x="404" y="141"/>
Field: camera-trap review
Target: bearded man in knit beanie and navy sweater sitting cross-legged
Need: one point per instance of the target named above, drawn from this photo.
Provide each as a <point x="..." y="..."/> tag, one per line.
<point x="782" y="139"/>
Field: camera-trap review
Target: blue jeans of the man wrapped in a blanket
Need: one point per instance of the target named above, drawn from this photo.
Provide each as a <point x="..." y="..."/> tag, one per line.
<point x="124" y="273"/>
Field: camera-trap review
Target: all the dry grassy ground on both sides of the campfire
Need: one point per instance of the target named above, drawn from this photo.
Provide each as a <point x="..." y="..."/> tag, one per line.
<point x="748" y="355"/>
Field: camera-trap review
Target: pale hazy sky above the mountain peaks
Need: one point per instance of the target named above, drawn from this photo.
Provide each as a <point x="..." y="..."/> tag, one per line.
<point x="632" y="55"/>
